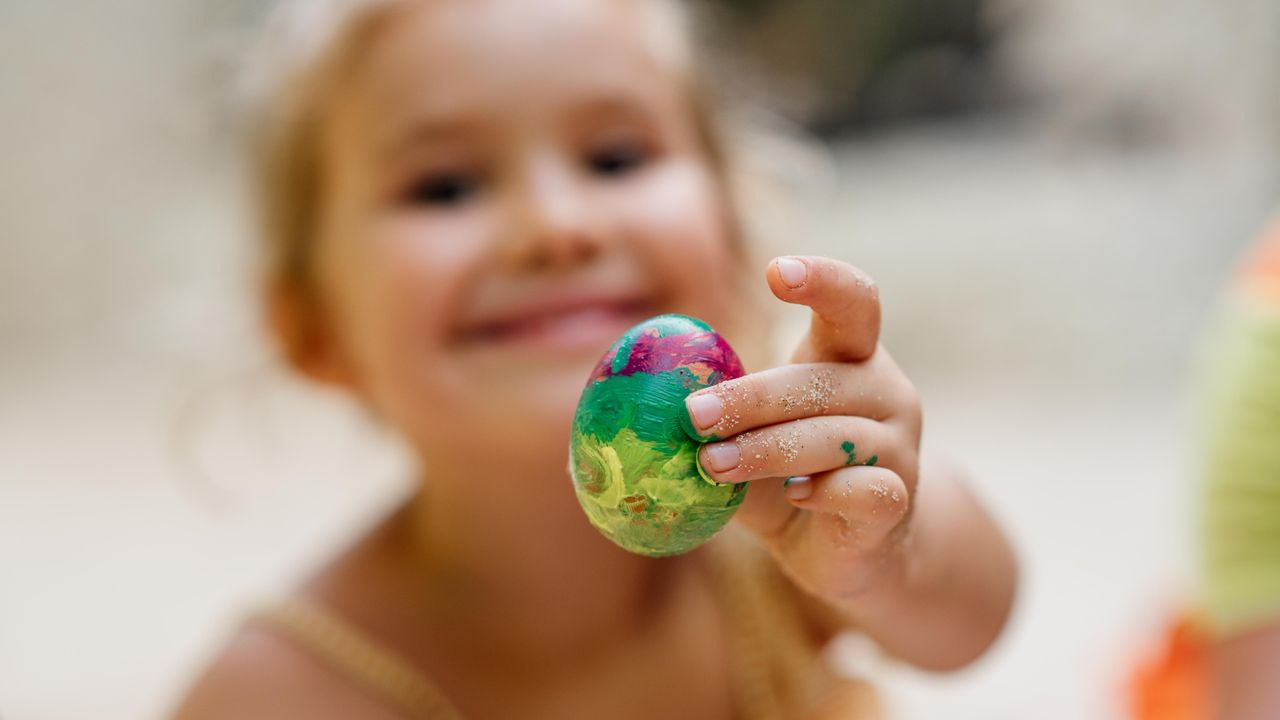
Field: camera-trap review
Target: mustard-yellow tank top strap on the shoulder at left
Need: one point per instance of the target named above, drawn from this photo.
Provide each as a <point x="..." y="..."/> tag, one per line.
<point x="381" y="672"/>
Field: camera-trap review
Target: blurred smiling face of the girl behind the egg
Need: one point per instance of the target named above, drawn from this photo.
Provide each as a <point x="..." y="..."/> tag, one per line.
<point x="509" y="188"/>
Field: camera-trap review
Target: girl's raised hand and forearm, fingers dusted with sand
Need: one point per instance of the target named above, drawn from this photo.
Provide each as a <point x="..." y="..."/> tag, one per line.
<point x="898" y="549"/>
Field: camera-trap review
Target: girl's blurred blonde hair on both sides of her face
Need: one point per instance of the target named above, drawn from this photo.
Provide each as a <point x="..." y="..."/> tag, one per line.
<point x="308" y="48"/>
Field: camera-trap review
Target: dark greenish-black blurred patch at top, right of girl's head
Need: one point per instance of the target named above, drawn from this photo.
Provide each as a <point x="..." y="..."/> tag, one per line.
<point x="851" y="65"/>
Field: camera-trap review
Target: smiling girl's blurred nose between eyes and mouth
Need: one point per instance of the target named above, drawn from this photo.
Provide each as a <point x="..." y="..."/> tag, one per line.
<point x="555" y="222"/>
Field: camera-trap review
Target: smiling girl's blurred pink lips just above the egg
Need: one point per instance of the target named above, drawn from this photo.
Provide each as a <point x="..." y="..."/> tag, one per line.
<point x="587" y="323"/>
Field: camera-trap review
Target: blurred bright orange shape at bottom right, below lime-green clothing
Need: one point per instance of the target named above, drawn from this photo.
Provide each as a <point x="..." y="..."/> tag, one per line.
<point x="1176" y="683"/>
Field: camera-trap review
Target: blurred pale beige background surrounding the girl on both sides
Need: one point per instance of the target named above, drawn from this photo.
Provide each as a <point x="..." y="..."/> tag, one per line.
<point x="1052" y="194"/>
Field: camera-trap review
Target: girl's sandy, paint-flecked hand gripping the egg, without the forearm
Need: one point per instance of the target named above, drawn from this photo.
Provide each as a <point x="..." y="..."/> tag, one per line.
<point x="843" y="423"/>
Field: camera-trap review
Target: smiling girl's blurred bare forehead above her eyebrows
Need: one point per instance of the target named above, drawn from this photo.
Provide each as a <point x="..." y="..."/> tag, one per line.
<point x="458" y="58"/>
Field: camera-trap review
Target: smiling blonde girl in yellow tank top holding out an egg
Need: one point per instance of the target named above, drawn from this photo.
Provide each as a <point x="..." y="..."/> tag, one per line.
<point x="468" y="202"/>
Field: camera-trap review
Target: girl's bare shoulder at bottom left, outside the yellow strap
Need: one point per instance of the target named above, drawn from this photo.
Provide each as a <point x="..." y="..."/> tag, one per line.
<point x="260" y="673"/>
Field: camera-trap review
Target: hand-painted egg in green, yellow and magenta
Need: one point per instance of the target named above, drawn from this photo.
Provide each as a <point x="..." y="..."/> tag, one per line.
<point x="634" y="455"/>
